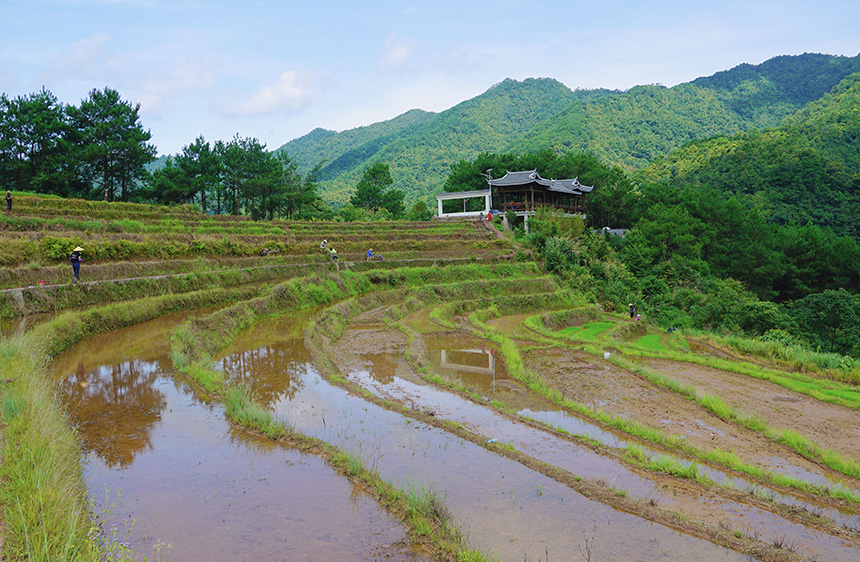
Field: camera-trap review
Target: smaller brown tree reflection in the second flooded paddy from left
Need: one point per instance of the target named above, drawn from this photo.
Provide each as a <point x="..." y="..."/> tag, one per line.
<point x="271" y="372"/>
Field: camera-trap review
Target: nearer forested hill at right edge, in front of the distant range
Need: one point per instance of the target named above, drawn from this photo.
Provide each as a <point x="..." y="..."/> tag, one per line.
<point x="805" y="171"/>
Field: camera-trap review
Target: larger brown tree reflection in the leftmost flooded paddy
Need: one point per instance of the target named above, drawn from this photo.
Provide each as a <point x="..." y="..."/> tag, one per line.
<point x="115" y="408"/>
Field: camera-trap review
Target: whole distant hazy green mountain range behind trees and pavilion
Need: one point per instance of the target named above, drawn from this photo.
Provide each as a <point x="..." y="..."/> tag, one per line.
<point x="622" y="128"/>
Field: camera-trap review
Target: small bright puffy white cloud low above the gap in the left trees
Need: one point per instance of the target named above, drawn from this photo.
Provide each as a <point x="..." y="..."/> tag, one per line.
<point x="291" y="91"/>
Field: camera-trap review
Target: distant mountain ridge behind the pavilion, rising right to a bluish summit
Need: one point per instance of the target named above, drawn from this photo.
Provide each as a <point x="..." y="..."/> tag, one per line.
<point x="647" y="121"/>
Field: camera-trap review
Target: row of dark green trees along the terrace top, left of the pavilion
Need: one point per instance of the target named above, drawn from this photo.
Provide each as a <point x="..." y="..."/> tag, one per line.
<point x="100" y="150"/>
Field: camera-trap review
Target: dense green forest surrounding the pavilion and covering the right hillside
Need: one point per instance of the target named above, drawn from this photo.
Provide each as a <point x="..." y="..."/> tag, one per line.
<point x="755" y="233"/>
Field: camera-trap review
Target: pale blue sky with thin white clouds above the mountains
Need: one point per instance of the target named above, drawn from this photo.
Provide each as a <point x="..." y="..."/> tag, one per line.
<point x="276" y="70"/>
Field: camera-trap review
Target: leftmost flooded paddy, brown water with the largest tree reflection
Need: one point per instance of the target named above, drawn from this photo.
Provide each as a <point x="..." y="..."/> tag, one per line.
<point x="189" y="480"/>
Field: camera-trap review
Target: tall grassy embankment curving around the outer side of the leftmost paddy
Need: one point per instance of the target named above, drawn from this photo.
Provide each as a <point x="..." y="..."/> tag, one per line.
<point x="46" y="512"/>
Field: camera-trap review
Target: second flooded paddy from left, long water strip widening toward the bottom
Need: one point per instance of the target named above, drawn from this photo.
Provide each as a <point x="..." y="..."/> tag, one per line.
<point x="507" y="510"/>
